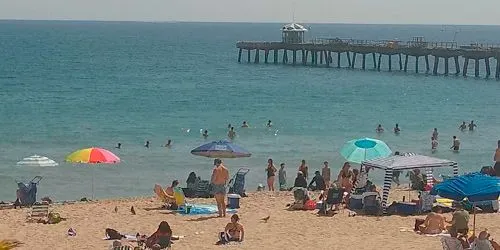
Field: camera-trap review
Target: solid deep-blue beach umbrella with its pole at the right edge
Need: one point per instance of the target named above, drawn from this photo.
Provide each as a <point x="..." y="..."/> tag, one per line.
<point x="474" y="187"/>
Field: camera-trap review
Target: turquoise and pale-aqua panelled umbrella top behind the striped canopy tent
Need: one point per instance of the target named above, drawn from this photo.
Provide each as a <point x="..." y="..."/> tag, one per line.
<point x="363" y="149"/>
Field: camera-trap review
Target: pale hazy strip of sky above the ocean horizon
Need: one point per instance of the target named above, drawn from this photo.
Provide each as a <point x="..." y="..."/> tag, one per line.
<point x="485" y="12"/>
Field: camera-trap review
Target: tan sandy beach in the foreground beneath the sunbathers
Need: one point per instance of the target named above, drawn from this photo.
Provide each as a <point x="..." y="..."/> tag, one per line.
<point x="284" y="230"/>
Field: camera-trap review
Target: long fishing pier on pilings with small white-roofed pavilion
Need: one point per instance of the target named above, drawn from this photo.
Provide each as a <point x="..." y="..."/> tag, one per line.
<point x="293" y="50"/>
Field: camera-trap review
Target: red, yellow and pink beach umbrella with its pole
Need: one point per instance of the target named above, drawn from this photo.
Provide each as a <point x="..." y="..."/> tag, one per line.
<point x="93" y="156"/>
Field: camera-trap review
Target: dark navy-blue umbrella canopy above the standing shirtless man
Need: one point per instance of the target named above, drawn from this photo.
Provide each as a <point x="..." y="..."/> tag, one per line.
<point x="221" y="149"/>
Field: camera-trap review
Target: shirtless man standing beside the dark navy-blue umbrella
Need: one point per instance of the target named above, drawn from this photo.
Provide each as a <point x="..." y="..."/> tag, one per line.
<point x="220" y="177"/>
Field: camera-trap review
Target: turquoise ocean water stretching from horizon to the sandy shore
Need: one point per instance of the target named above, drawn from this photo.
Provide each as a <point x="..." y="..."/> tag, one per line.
<point x="70" y="85"/>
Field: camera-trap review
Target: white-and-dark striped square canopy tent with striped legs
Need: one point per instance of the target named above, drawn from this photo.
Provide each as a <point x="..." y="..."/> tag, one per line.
<point x="406" y="161"/>
